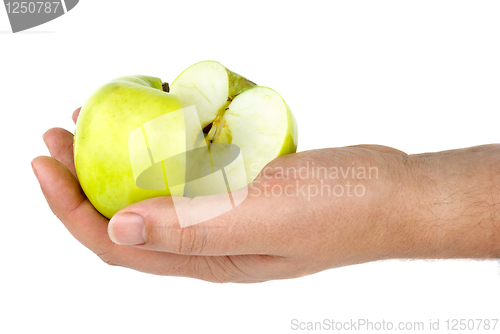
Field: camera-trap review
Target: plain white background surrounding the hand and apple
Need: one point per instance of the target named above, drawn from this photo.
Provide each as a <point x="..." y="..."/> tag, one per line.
<point x="420" y="76"/>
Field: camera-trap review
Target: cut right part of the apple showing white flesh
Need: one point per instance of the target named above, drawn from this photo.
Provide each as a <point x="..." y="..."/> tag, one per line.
<point x="235" y="110"/>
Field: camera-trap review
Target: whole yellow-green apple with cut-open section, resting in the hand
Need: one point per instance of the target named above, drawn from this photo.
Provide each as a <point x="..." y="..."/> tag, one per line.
<point x="132" y="139"/>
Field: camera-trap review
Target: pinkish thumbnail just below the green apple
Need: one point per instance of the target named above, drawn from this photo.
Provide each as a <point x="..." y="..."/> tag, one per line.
<point x="127" y="229"/>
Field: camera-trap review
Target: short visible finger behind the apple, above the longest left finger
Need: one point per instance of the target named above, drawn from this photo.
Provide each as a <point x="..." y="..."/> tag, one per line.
<point x="60" y="145"/>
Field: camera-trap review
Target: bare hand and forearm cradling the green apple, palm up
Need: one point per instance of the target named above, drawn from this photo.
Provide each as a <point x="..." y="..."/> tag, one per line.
<point x="427" y="206"/>
